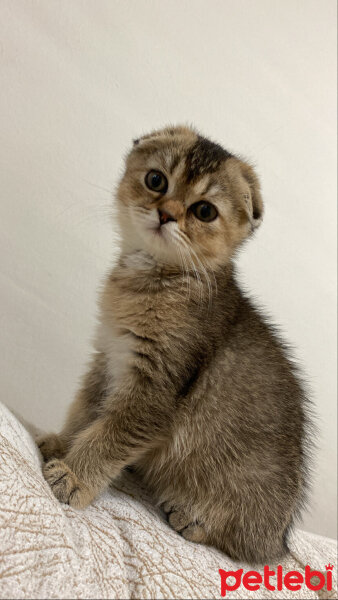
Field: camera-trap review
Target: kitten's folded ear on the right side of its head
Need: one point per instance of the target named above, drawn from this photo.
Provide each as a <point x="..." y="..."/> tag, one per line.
<point x="251" y="195"/>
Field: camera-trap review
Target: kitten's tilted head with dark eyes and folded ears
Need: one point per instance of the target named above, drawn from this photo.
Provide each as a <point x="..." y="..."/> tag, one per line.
<point x="185" y="200"/>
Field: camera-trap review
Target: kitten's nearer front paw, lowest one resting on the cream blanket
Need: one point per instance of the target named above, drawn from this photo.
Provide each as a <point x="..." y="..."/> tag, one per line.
<point x="65" y="486"/>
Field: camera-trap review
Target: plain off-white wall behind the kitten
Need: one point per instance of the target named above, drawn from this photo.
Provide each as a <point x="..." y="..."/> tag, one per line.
<point x="79" y="79"/>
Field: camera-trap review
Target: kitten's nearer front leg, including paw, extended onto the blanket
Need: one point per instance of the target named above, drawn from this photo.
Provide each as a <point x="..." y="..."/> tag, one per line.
<point x="133" y="422"/>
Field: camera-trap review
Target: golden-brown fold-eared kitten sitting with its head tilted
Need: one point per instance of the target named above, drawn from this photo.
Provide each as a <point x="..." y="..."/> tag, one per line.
<point x="188" y="383"/>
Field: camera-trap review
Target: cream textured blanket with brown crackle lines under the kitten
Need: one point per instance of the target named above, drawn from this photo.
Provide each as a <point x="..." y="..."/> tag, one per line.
<point x="120" y="547"/>
